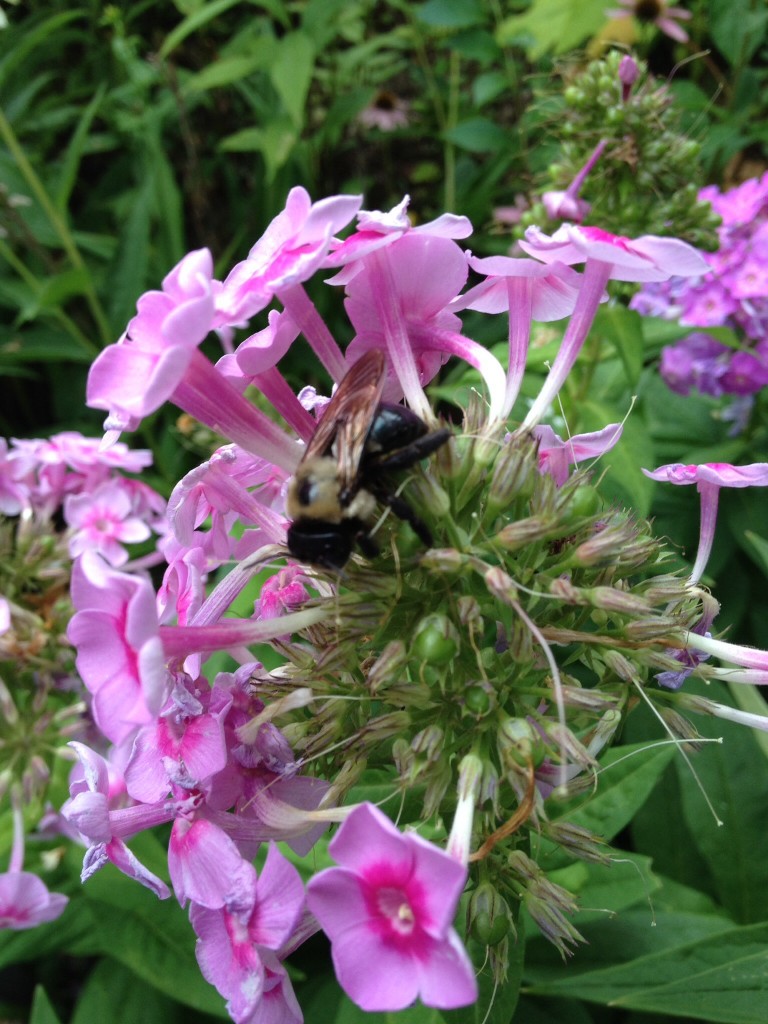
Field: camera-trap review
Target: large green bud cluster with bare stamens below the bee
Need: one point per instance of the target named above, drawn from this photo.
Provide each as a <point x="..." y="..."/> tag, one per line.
<point x="520" y="642"/>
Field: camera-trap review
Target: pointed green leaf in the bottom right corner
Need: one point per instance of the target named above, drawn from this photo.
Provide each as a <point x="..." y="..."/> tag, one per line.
<point x="722" y="978"/>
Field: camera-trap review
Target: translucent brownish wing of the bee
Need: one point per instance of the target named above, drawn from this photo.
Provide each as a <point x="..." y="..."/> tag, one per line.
<point x="349" y="416"/>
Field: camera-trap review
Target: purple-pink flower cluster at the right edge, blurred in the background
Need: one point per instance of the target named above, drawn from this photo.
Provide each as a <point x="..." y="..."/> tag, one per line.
<point x="733" y="293"/>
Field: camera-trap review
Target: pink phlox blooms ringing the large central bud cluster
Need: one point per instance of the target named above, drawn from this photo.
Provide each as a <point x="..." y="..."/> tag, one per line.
<point x="209" y="759"/>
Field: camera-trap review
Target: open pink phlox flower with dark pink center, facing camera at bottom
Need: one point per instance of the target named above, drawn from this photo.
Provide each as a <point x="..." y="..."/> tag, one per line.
<point x="389" y="912"/>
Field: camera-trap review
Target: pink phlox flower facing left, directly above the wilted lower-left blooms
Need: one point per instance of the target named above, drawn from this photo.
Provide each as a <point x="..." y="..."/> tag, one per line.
<point x="119" y="653"/>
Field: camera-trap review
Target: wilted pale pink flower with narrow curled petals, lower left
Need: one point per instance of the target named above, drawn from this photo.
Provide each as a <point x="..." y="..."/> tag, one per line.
<point x="105" y="830"/>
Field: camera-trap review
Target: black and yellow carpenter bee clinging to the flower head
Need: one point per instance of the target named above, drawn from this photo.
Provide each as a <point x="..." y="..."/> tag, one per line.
<point x="347" y="468"/>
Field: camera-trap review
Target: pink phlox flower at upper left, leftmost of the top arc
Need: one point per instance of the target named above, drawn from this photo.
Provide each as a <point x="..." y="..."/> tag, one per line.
<point x="139" y="374"/>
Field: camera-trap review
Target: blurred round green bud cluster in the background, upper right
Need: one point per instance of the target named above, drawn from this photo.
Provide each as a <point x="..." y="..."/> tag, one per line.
<point x="648" y="180"/>
